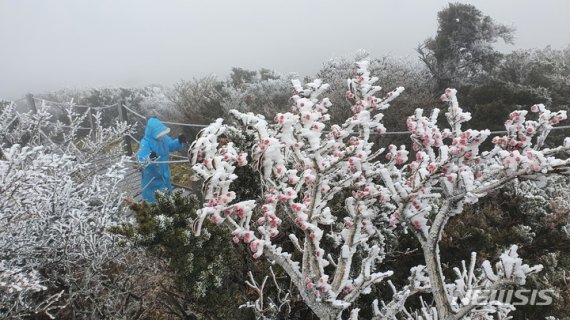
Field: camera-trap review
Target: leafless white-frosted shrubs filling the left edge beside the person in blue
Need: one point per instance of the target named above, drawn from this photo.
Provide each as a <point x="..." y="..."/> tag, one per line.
<point x="58" y="195"/>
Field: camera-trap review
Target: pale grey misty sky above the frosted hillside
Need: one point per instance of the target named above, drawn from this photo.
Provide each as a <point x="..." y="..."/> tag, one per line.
<point x="52" y="44"/>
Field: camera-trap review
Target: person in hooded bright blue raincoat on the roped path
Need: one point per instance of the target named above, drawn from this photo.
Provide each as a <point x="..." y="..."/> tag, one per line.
<point x="154" y="150"/>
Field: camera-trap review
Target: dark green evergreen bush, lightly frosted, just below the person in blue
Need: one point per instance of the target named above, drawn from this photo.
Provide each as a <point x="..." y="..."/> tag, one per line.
<point x="210" y="270"/>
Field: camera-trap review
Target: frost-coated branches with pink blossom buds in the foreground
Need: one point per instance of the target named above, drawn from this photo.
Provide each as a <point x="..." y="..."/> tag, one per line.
<point x="306" y="163"/>
